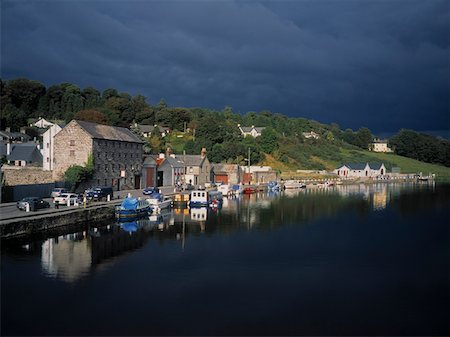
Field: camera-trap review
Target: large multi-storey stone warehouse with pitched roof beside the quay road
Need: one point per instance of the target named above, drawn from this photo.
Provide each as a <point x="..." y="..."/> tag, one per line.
<point x="116" y="152"/>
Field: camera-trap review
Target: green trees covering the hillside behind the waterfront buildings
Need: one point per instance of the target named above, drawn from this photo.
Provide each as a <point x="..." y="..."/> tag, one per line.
<point x="217" y="131"/>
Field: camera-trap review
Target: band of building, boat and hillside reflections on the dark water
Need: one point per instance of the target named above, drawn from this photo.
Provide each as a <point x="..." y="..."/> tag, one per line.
<point x="72" y="256"/>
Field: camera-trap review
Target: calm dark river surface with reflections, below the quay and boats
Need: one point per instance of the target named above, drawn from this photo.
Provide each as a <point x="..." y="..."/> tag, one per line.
<point x="350" y="260"/>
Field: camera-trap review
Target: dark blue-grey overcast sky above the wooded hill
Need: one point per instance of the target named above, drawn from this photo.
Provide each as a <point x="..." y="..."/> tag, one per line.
<point x="381" y="64"/>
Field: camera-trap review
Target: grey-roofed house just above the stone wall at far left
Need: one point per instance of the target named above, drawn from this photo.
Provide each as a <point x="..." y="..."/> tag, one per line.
<point x="23" y="154"/>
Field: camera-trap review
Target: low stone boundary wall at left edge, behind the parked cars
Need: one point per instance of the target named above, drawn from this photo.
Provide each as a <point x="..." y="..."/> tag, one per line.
<point x="26" y="175"/>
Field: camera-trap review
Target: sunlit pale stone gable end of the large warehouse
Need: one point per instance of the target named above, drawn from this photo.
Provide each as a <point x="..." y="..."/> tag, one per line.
<point x="72" y="147"/>
